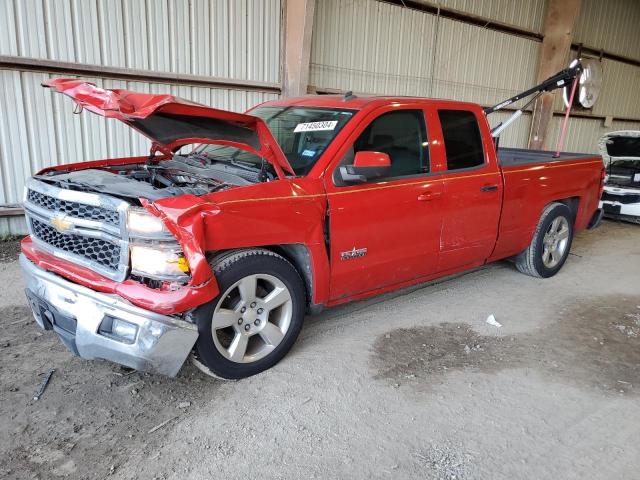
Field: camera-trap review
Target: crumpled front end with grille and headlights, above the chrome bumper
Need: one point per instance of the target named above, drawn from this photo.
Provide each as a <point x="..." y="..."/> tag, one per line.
<point x="111" y="246"/>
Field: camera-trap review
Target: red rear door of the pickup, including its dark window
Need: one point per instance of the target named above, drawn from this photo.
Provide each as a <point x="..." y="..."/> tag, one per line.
<point x="472" y="188"/>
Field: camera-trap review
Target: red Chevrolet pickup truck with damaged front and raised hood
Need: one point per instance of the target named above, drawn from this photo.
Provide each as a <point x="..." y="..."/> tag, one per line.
<point x="236" y="225"/>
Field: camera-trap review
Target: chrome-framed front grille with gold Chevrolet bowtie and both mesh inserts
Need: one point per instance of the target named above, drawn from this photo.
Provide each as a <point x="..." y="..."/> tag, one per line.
<point x="85" y="228"/>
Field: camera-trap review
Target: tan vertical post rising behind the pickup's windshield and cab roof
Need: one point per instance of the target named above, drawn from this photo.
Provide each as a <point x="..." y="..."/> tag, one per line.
<point x="298" y="27"/>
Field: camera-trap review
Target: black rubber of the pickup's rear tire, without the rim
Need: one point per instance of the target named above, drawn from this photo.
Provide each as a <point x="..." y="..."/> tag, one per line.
<point x="530" y="261"/>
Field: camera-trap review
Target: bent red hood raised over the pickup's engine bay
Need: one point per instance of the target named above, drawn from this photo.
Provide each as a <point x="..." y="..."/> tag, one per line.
<point x="171" y="122"/>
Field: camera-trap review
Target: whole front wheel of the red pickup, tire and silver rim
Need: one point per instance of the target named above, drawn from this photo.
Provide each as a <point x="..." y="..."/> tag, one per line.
<point x="260" y="330"/>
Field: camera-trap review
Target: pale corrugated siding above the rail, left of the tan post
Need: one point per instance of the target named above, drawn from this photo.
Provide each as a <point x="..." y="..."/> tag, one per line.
<point x="237" y="39"/>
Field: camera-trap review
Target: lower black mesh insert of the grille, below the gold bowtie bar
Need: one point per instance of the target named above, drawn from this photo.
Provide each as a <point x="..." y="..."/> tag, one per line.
<point x="102" y="252"/>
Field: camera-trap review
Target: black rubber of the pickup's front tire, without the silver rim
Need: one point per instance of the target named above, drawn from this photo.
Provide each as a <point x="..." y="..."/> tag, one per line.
<point x="230" y="268"/>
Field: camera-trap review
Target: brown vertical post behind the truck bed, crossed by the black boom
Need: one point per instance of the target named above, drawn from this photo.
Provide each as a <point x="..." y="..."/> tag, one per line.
<point x="554" y="54"/>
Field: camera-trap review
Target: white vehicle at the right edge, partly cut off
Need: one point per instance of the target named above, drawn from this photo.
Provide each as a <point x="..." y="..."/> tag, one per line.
<point x="621" y="154"/>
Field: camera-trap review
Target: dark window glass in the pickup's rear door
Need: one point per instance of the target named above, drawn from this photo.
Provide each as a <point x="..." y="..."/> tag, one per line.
<point x="462" y="140"/>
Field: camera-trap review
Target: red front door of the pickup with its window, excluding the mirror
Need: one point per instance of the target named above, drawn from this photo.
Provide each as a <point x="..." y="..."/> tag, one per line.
<point x="385" y="231"/>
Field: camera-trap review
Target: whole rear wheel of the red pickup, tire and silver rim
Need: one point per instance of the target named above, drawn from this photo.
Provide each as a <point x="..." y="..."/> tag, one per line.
<point x="551" y="243"/>
